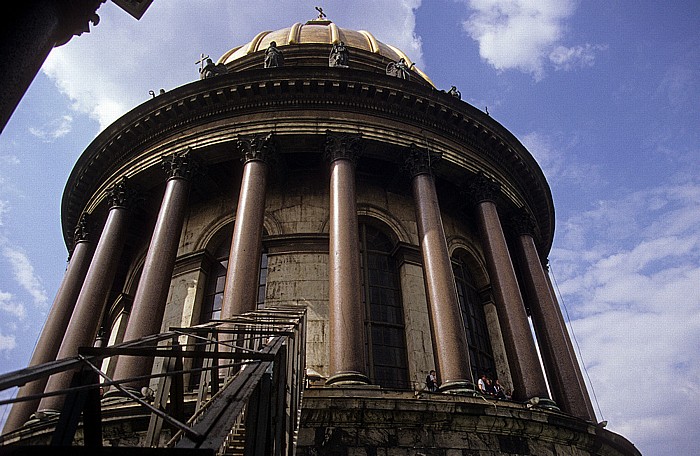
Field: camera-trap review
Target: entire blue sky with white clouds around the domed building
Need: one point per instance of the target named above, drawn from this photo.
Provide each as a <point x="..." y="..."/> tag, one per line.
<point x="604" y="93"/>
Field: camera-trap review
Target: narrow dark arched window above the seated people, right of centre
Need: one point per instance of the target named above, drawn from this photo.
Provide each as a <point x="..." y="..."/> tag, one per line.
<point x="474" y="320"/>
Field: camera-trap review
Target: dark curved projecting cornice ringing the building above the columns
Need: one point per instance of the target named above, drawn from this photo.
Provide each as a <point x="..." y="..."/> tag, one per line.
<point x="206" y="102"/>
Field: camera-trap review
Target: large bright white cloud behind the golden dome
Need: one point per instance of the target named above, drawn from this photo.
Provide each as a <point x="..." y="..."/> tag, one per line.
<point x="111" y="69"/>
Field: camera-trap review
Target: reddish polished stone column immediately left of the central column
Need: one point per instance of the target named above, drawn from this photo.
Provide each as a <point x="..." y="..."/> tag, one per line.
<point x="241" y="287"/>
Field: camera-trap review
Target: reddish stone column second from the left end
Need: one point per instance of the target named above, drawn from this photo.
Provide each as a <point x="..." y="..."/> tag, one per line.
<point x="89" y="307"/>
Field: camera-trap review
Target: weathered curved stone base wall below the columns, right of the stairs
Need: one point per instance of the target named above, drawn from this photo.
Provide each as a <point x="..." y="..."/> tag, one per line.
<point x="364" y="421"/>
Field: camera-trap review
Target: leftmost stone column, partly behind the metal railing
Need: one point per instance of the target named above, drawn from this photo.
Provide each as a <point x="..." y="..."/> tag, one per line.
<point x="56" y="323"/>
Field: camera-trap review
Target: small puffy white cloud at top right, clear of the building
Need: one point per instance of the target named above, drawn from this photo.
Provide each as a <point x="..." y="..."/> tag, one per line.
<point x="526" y="35"/>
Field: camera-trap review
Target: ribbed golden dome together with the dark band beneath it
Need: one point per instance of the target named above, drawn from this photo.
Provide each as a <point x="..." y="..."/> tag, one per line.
<point x="317" y="36"/>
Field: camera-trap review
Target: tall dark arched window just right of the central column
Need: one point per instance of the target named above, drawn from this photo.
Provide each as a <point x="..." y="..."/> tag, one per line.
<point x="386" y="344"/>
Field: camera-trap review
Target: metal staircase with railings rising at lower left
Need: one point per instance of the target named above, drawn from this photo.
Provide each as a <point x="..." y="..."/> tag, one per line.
<point x="246" y="379"/>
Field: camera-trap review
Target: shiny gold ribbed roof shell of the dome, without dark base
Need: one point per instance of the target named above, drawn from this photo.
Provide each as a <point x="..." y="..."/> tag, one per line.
<point x="320" y="31"/>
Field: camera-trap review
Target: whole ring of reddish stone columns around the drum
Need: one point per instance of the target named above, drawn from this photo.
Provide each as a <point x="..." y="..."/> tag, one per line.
<point x="82" y="297"/>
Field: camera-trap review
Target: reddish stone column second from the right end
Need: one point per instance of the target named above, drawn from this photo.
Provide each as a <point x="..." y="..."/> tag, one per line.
<point x="528" y="378"/>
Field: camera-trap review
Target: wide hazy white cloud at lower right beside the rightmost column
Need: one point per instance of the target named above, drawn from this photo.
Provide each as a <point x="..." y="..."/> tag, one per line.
<point x="632" y="282"/>
